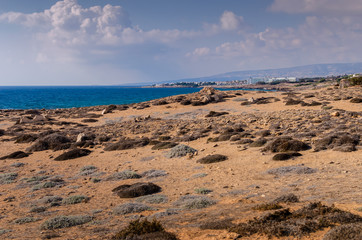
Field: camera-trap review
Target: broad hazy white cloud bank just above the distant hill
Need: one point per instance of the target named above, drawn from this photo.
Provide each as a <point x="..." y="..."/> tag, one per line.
<point x="317" y="40"/>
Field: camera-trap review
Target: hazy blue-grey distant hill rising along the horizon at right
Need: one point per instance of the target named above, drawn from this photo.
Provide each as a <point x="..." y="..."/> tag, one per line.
<point x="315" y="70"/>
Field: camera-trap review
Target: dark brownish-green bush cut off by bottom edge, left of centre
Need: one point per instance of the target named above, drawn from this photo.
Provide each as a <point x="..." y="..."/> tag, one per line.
<point x="143" y="230"/>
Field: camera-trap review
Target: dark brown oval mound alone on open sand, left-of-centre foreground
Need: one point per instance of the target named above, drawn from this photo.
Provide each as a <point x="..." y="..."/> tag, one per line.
<point x="136" y="190"/>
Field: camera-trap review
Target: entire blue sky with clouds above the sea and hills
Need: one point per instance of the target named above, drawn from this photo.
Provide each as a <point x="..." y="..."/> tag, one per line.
<point x="115" y="42"/>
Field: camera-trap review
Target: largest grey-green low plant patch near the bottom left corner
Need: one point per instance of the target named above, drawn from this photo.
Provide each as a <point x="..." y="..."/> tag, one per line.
<point x="65" y="221"/>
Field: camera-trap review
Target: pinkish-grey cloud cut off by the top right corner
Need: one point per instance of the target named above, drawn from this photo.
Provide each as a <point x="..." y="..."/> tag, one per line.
<point x="339" y="7"/>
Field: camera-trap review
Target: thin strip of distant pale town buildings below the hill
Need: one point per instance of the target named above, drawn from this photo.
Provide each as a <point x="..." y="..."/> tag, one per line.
<point x="254" y="81"/>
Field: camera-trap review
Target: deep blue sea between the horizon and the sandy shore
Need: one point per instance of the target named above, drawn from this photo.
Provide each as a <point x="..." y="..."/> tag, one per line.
<point x="80" y="96"/>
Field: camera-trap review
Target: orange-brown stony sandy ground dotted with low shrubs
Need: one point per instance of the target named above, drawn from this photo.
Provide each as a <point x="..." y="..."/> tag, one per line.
<point x="202" y="164"/>
